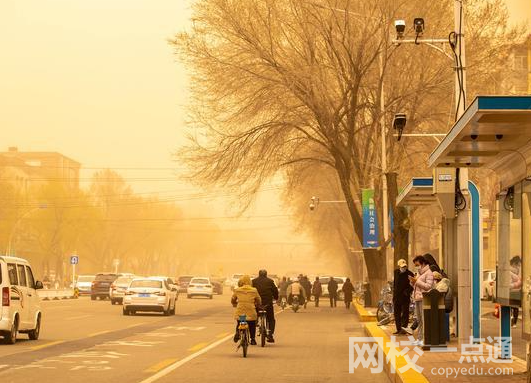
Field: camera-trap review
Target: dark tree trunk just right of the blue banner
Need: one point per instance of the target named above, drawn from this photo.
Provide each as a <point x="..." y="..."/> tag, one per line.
<point x="400" y="219"/>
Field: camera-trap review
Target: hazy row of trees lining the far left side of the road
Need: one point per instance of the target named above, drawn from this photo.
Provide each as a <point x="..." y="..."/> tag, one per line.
<point x="48" y="222"/>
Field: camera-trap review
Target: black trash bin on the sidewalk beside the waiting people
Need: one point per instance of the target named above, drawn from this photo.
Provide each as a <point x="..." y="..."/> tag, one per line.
<point x="434" y="319"/>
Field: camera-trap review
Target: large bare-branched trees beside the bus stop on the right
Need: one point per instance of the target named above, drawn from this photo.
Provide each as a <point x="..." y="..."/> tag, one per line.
<point x="294" y="87"/>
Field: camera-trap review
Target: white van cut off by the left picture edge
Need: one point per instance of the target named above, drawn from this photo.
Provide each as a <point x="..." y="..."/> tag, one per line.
<point x="20" y="310"/>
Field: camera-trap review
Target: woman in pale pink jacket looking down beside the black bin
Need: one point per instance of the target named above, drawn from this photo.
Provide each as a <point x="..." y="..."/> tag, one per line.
<point x="422" y="282"/>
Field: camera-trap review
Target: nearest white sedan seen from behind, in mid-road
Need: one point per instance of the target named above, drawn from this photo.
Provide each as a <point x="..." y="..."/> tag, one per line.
<point x="154" y="294"/>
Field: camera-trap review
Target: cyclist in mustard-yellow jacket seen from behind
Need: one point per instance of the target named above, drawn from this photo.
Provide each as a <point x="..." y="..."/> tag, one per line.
<point x="245" y="298"/>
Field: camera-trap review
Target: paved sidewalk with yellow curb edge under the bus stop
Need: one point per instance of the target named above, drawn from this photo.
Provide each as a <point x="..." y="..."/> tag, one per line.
<point x="439" y="366"/>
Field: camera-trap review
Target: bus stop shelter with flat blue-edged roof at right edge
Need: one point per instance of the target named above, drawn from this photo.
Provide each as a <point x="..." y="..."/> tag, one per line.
<point x="495" y="133"/>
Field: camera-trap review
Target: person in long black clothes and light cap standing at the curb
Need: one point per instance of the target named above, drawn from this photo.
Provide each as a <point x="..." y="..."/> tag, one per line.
<point x="401" y="296"/>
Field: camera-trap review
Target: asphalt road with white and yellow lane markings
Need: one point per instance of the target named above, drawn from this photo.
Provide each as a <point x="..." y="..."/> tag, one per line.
<point x="88" y="341"/>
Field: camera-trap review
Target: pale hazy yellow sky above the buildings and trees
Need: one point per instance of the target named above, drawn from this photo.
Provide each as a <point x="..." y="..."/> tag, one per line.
<point x="97" y="81"/>
